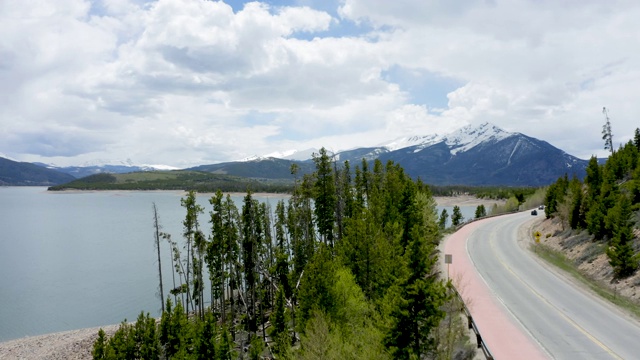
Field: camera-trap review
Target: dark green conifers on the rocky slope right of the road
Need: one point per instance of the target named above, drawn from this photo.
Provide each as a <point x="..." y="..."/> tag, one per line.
<point x="606" y="204"/>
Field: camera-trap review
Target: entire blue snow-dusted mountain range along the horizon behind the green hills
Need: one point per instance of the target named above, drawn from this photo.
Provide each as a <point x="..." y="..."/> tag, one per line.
<point x="472" y="155"/>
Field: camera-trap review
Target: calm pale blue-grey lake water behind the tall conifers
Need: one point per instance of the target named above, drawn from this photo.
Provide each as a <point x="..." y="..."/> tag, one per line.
<point x="72" y="260"/>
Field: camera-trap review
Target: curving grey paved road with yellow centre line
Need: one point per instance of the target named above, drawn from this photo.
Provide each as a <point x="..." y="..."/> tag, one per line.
<point x="564" y="321"/>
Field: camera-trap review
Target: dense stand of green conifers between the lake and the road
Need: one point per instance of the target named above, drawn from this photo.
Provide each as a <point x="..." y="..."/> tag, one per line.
<point x="346" y="269"/>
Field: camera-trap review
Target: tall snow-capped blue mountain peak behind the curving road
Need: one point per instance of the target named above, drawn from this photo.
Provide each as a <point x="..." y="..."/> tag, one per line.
<point x="486" y="155"/>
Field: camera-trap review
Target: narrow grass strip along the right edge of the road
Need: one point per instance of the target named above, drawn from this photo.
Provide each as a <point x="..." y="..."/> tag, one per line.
<point x="560" y="261"/>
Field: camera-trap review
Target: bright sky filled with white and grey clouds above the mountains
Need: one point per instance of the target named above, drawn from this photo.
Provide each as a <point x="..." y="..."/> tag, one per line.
<point x="191" y="82"/>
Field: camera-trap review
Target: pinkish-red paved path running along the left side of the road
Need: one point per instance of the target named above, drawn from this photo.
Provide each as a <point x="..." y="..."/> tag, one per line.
<point x="505" y="338"/>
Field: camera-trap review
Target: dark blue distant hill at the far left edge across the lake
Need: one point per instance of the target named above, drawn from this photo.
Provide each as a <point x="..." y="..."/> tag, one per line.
<point x="13" y="173"/>
